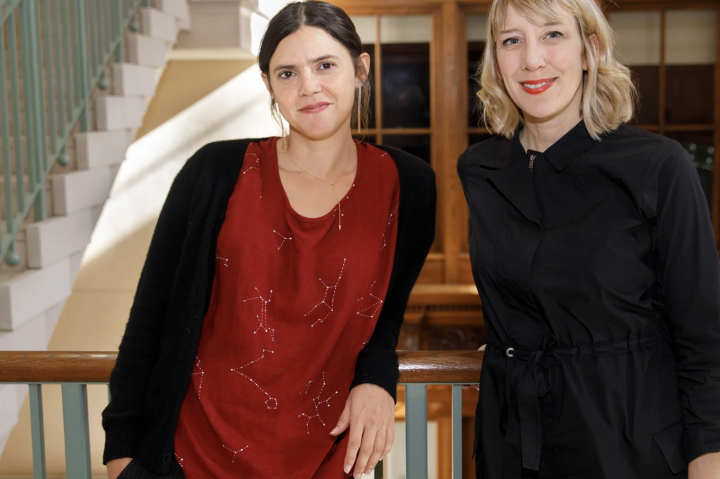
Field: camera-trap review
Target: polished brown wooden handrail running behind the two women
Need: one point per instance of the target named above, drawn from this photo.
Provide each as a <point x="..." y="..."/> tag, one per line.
<point x="95" y="367"/>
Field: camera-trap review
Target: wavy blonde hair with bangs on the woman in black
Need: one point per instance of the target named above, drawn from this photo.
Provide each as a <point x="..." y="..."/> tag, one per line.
<point x="609" y="94"/>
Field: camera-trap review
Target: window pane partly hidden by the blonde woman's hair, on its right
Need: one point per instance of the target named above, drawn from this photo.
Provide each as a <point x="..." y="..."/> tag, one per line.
<point x="638" y="47"/>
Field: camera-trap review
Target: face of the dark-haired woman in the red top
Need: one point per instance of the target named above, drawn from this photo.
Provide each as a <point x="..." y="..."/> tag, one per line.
<point x="313" y="80"/>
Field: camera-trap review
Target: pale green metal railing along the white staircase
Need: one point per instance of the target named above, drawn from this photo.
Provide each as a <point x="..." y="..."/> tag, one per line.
<point x="53" y="54"/>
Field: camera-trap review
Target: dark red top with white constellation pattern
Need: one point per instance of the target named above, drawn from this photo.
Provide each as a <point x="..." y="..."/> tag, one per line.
<point x="293" y="302"/>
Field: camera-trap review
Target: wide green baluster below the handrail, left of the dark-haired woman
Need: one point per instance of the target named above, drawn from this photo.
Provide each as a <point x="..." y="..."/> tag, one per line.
<point x="77" y="440"/>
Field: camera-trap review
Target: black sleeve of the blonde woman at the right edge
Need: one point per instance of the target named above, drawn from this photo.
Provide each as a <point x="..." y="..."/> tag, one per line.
<point x="689" y="271"/>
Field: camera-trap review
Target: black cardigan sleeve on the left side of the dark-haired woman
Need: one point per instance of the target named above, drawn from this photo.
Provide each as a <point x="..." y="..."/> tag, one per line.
<point x="140" y="346"/>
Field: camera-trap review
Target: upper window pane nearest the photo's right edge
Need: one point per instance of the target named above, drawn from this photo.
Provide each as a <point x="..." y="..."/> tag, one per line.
<point x="690" y="67"/>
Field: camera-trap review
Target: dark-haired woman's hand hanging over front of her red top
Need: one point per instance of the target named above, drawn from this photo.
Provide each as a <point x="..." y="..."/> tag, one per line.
<point x="370" y="413"/>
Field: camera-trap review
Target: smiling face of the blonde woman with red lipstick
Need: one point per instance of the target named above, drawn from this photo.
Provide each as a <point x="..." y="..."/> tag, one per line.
<point x="542" y="66"/>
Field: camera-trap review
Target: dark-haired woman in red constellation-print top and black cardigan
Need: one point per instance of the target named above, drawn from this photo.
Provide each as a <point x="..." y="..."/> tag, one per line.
<point x="262" y="339"/>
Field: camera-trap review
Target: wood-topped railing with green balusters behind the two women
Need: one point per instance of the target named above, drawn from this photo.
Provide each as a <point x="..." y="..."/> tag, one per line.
<point x="75" y="370"/>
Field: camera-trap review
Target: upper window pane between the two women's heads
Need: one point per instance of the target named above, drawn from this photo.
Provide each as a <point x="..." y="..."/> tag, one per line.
<point x="406" y="70"/>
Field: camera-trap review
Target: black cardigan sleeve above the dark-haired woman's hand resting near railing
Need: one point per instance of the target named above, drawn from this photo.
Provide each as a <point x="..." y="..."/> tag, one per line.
<point x="378" y="361"/>
